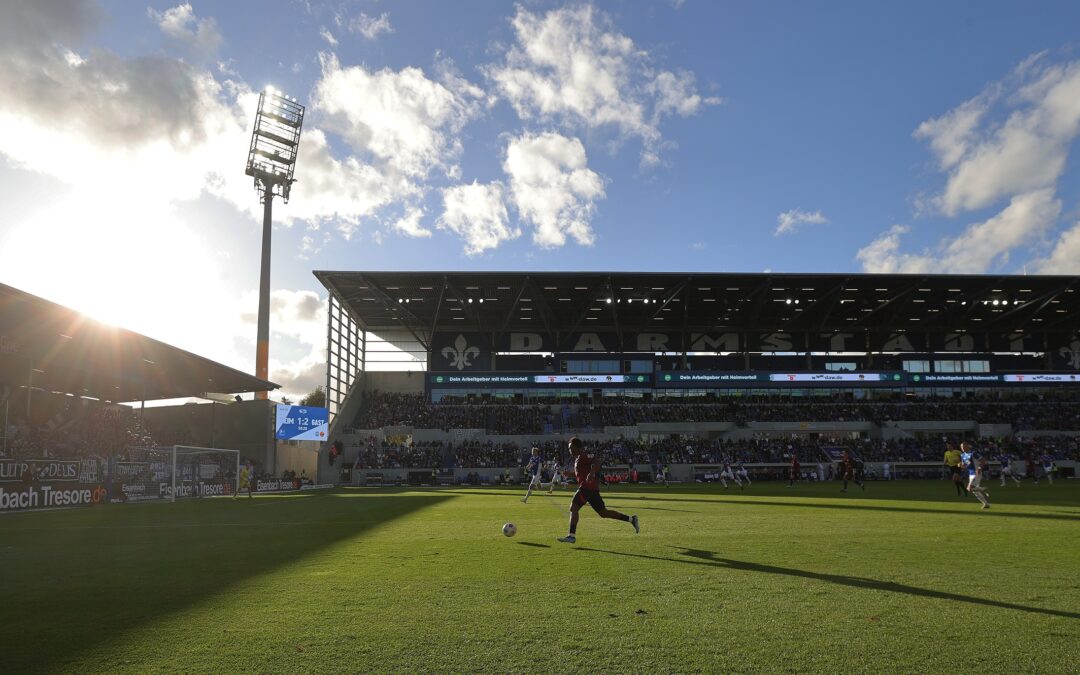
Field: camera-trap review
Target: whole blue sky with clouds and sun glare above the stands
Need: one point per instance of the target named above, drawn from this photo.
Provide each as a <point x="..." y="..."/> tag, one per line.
<point x="664" y="137"/>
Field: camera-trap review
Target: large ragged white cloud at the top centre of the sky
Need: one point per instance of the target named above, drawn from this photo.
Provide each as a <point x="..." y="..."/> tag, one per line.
<point x="572" y="65"/>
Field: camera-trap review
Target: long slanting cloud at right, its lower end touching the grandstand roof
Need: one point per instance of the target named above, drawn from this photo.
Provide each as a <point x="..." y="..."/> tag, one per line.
<point x="981" y="248"/>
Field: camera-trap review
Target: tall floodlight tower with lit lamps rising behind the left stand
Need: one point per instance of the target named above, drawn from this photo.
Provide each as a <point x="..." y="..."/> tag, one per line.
<point x="271" y="161"/>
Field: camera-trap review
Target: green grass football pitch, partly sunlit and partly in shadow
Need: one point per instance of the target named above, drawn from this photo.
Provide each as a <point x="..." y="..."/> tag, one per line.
<point x="906" y="578"/>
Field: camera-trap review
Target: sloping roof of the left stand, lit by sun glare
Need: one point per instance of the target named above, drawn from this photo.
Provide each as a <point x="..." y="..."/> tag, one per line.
<point x="66" y="352"/>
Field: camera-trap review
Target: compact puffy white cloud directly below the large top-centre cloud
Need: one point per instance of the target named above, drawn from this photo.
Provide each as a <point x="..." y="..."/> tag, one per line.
<point x="552" y="187"/>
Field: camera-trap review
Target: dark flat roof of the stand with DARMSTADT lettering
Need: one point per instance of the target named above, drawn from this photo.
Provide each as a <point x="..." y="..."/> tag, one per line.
<point x="426" y="303"/>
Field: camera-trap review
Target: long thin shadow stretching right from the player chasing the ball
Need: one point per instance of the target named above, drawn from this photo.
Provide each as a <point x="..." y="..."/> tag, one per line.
<point x="709" y="559"/>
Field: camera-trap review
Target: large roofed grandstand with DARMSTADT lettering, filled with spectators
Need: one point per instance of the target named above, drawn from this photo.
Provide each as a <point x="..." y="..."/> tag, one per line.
<point x="452" y="377"/>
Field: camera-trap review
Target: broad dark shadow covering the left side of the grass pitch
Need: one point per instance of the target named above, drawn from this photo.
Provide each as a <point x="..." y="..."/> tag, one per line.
<point x="74" y="582"/>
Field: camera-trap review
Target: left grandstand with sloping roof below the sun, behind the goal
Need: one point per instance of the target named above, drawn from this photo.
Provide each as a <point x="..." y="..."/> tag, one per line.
<point x="74" y="393"/>
